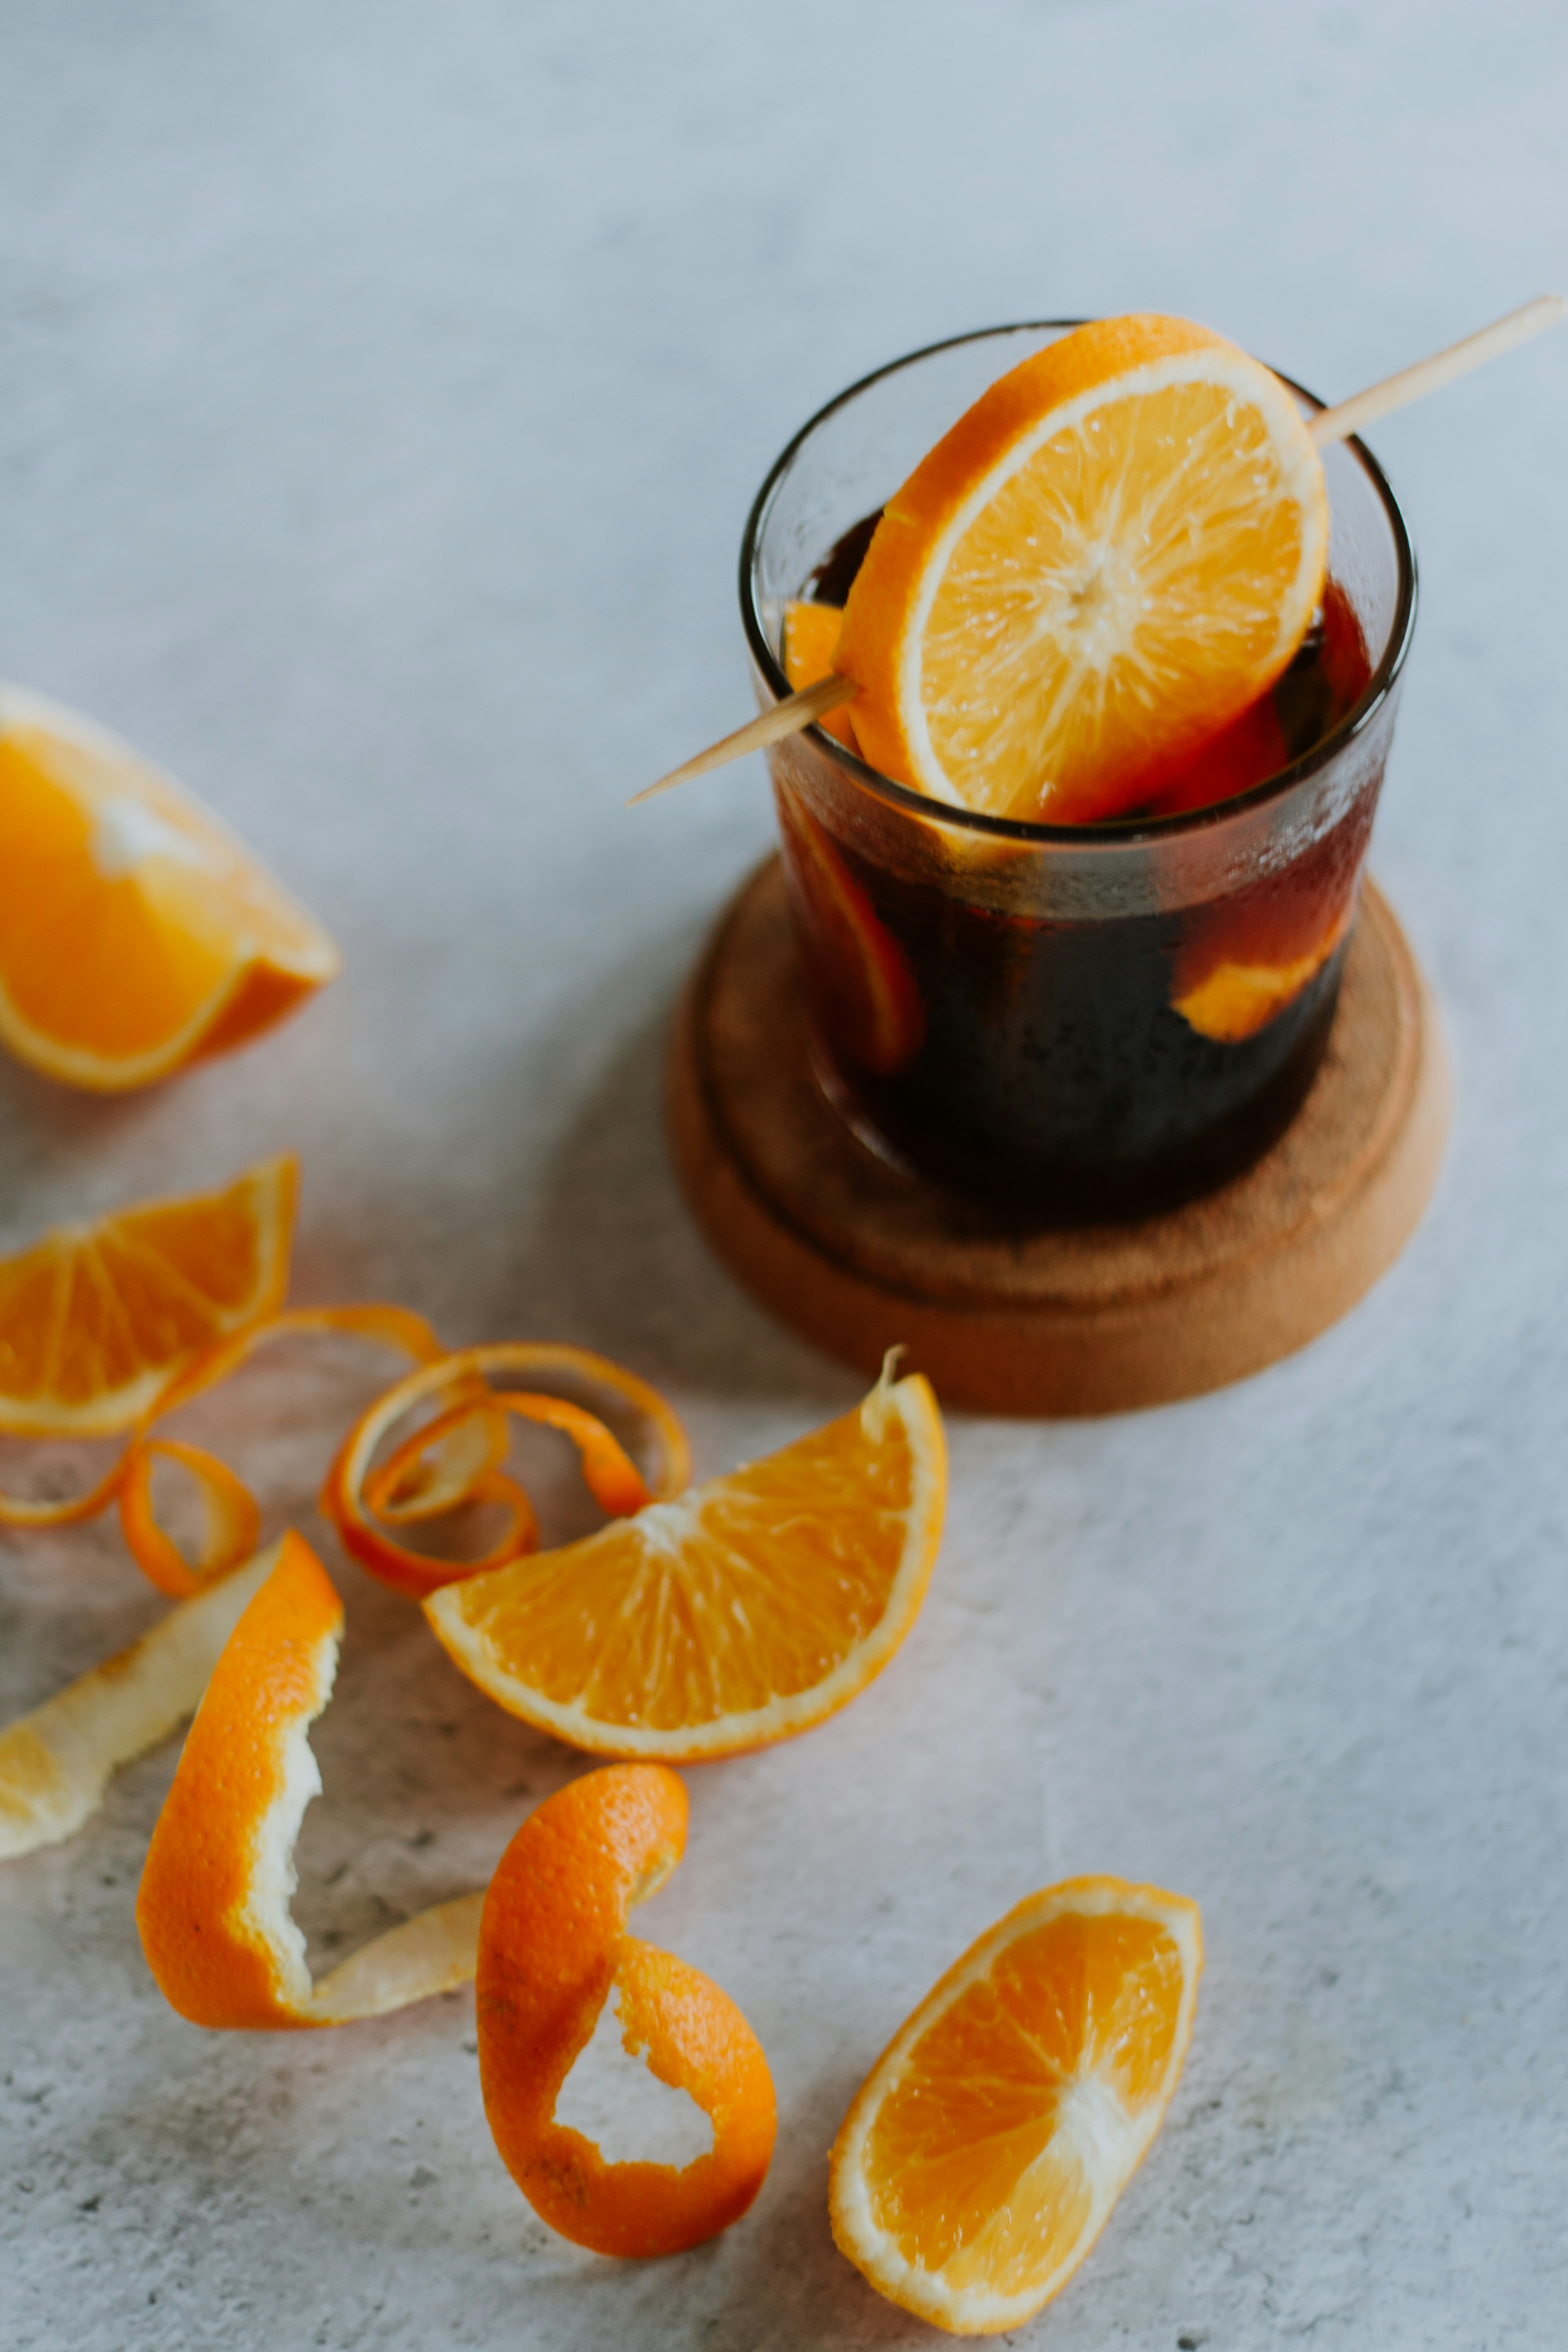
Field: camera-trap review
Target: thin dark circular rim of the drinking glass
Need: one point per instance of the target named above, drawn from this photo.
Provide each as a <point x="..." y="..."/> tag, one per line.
<point x="1123" y="831"/>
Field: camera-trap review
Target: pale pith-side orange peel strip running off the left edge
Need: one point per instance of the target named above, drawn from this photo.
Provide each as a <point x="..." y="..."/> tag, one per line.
<point x="58" y="1760"/>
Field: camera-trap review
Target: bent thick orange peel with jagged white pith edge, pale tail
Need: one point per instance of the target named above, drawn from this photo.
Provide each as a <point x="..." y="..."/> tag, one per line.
<point x="213" y="1909"/>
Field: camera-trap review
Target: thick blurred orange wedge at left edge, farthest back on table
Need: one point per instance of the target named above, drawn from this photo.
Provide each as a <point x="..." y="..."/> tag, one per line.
<point x="135" y="930"/>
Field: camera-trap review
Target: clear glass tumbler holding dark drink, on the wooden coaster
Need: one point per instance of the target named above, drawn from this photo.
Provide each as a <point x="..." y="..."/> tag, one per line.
<point x="1071" y="1022"/>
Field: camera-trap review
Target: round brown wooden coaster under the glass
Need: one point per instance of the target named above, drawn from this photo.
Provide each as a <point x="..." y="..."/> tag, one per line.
<point x="1087" y="1321"/>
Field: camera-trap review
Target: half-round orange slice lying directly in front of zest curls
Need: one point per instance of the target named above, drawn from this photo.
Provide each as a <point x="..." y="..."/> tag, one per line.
<point x="739" y="1612"/>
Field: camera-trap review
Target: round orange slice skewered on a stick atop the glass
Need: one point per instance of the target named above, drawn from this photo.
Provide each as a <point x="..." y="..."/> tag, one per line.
<point x="1101" y="566"/>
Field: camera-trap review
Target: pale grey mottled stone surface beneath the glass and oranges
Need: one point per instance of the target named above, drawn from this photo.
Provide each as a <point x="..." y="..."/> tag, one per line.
<point x="382" y="396"/>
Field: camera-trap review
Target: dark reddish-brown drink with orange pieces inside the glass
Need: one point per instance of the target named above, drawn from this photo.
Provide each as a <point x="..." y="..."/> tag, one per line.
<point x="1087" y="1069"/>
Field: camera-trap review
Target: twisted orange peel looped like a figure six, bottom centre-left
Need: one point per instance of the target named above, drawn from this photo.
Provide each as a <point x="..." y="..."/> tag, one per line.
<point x="554" y="1949"/>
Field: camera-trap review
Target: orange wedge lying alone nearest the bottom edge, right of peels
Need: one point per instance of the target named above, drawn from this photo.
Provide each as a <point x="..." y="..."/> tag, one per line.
<point x="991" y="2141"/>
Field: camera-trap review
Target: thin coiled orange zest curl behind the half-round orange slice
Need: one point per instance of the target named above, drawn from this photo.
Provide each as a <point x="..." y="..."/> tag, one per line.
<point x="406" y="1488"/>
